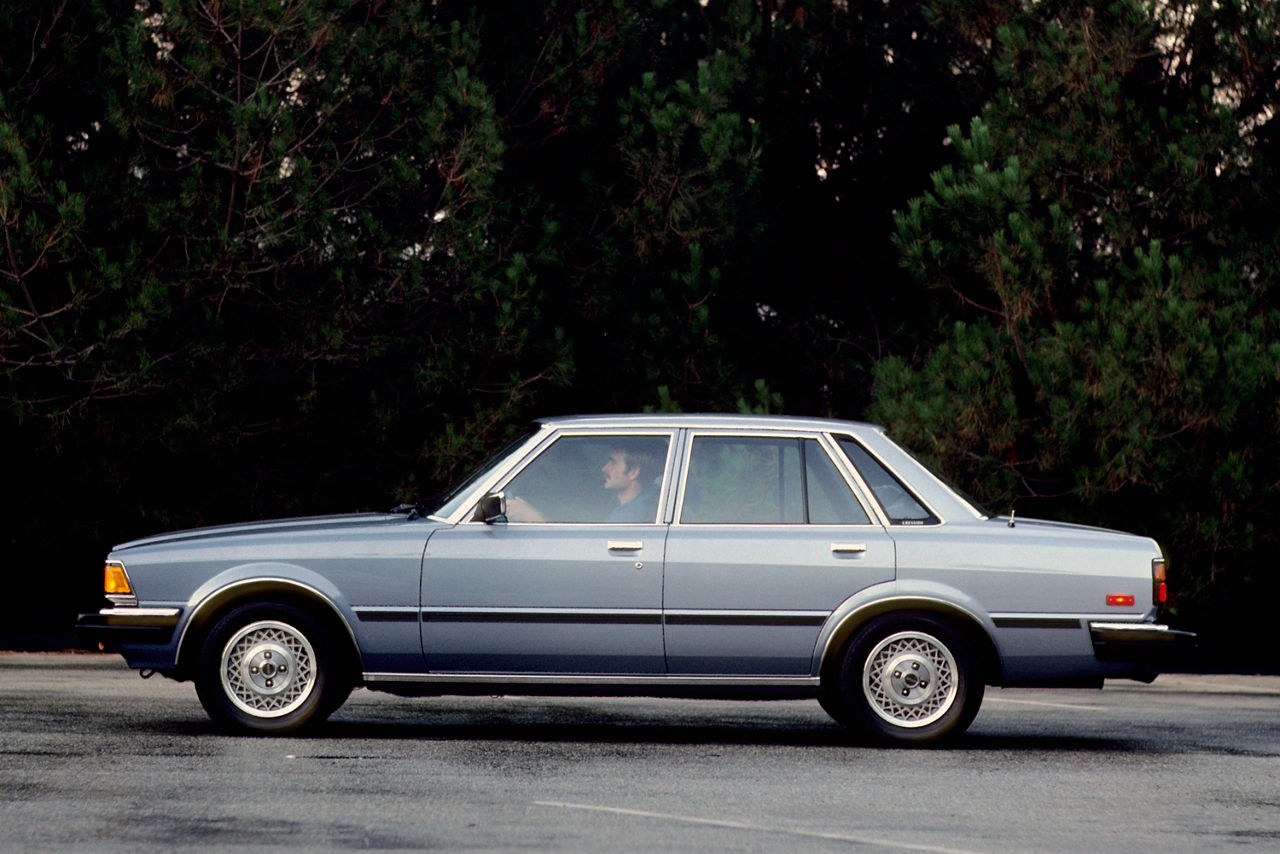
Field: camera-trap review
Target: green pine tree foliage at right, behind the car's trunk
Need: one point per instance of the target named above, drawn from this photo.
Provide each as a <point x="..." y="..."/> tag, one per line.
<point x="1105" y="253"/>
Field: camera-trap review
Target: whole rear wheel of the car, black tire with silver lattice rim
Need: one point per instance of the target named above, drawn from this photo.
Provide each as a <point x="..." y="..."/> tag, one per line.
<point x="909" y="681"/>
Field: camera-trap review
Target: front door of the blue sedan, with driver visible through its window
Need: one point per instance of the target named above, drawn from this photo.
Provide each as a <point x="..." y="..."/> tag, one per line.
<point x="572" y="581"/>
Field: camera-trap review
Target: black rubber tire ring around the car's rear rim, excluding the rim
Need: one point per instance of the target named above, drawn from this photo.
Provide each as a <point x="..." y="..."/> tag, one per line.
<point x="968" y="683"/>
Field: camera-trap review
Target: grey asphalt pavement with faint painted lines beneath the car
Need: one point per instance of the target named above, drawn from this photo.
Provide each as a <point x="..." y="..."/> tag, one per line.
<point x="94" y="759"/>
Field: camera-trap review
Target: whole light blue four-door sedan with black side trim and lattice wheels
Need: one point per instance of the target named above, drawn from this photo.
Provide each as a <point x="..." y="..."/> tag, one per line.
<point x="703" y="556"/>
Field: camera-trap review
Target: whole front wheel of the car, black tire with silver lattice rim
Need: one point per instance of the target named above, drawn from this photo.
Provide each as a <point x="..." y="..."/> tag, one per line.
<point x="269" y="669"/>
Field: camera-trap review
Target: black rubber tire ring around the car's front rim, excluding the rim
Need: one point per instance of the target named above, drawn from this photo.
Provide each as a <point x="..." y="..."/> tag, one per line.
<point x="209" y="682"/>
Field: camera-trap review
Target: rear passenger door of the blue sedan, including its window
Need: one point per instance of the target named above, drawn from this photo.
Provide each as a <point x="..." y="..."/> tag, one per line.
<point x="769" y="541"/>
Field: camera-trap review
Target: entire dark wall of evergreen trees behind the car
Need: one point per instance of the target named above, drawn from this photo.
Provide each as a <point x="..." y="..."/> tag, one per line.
<point x="276" y="258"/>
